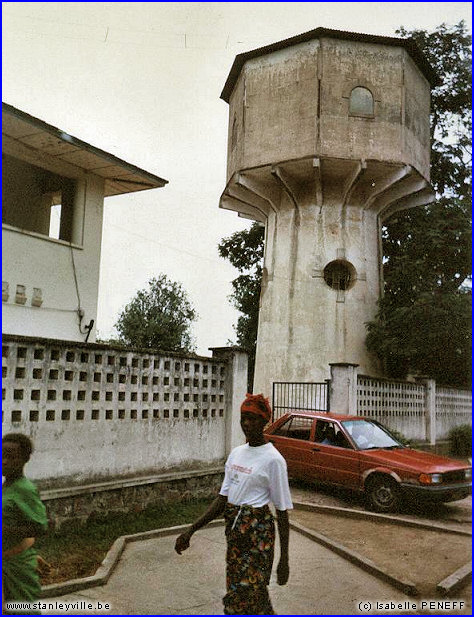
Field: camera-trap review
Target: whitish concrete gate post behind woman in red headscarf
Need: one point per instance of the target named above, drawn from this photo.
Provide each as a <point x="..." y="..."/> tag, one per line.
<point x="235" y="391"/>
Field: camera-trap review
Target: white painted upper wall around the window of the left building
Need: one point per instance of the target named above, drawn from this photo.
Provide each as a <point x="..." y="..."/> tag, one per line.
<point x="37" y="261"/>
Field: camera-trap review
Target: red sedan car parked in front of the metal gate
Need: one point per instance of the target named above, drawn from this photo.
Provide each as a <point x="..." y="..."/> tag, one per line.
<point x="360" y="454"/>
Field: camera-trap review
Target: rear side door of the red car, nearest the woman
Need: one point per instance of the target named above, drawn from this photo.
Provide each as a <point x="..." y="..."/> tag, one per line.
<point x="294" y="440"/>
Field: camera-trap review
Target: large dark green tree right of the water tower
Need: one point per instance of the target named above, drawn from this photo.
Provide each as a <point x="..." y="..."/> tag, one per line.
<point x="423" y="324"/>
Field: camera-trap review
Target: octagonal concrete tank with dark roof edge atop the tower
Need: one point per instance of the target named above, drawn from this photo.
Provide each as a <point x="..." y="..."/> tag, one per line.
<point x="330" y="93"/>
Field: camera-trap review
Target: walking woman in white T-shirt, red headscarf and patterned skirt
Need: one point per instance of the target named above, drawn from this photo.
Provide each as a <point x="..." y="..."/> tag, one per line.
<point x="255" y="475"/>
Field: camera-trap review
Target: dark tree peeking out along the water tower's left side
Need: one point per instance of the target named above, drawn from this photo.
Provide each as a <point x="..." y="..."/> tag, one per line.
<point x="244" y="250"/>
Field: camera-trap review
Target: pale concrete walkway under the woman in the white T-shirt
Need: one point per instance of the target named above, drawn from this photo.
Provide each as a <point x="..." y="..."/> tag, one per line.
<point x="152" y="579"/>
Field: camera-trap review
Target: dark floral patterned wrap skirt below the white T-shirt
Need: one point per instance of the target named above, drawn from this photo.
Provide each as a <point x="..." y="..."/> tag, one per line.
<point x="250" y="534"/>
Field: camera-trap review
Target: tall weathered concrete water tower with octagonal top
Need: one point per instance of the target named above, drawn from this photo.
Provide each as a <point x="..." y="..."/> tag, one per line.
<point x="329" y="135"/>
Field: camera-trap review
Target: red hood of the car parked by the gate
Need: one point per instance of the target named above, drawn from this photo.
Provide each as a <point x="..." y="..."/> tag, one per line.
<point x="416" y="460"/>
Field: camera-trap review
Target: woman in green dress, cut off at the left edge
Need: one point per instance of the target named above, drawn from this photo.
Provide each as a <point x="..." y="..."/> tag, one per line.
<point x="23" y="518"/>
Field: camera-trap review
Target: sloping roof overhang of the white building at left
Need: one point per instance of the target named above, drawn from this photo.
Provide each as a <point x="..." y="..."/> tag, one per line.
<point x="40" y="140"/>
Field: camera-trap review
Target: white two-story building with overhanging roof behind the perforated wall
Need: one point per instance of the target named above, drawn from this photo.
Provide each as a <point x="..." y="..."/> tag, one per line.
<point x="53" y="196"/>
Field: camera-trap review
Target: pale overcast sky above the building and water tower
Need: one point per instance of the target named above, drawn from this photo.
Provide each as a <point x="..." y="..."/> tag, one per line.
<point x="142" y="80"/>
